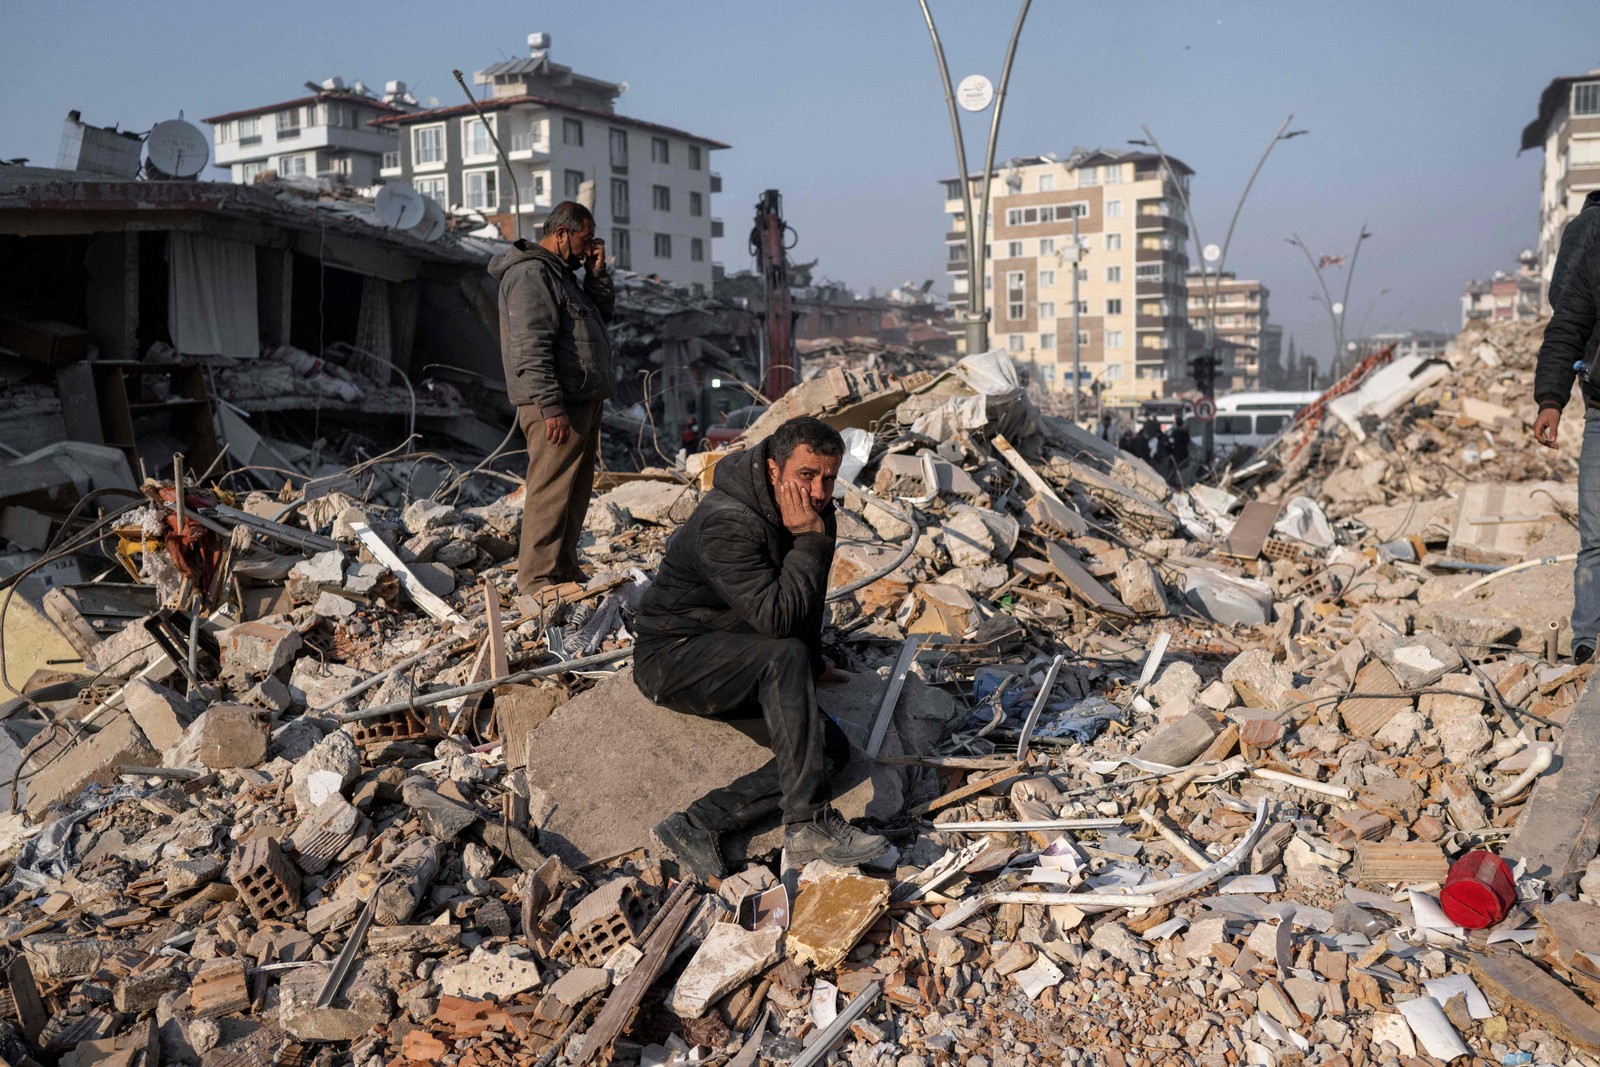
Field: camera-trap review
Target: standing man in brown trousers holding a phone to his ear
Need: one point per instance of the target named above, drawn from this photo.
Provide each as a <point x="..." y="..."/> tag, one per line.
<point x="559" y="374"/>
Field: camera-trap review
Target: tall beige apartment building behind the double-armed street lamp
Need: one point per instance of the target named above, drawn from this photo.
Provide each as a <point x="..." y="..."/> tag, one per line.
<point x="1132" y="321"/>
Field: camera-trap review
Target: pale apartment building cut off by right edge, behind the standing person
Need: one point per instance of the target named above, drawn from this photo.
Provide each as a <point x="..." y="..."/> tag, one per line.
<point x="1569" y="130"/>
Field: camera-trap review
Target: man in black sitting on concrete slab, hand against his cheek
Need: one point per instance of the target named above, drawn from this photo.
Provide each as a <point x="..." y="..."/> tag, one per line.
<point x="732" y="628"/>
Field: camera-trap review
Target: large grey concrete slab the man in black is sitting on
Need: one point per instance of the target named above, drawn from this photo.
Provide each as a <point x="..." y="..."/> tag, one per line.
<point x="614" y="764"/>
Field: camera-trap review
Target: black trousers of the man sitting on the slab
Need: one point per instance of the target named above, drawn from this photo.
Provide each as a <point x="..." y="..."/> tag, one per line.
<point x="766" y="689"/>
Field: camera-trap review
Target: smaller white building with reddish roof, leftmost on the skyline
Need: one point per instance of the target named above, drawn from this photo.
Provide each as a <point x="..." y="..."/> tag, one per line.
<point x="324" y="135"/>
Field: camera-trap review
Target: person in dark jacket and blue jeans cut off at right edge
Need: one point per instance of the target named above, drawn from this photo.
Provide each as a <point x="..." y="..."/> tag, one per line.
<point x="1570" y="348"/>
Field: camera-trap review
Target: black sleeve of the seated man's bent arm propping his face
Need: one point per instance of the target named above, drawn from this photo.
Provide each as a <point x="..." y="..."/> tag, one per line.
<point x="775" y="601"/>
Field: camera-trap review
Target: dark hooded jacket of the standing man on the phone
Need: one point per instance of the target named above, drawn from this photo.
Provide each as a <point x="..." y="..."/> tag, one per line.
<point x="554" y="345"/>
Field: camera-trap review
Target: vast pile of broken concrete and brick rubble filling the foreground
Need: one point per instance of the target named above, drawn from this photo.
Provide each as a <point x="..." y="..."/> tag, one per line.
<point x="1170" y="777"/>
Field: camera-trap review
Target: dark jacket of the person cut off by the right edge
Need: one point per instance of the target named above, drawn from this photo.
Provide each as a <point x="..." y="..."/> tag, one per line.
<point x="1574" y="334"/>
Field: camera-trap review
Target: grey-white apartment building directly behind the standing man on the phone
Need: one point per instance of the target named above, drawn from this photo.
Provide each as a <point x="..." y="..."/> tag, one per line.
<point x="654" y="185"/>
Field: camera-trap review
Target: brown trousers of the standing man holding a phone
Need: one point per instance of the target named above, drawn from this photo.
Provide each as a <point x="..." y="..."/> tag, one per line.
<point x="556" y="498"/>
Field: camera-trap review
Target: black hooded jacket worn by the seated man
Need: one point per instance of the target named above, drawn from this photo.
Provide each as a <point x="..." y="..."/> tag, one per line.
<point x="734" y="567"/>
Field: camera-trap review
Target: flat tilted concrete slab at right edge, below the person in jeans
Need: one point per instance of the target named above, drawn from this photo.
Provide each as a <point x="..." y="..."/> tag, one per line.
<point x="1559" y="828"/>
